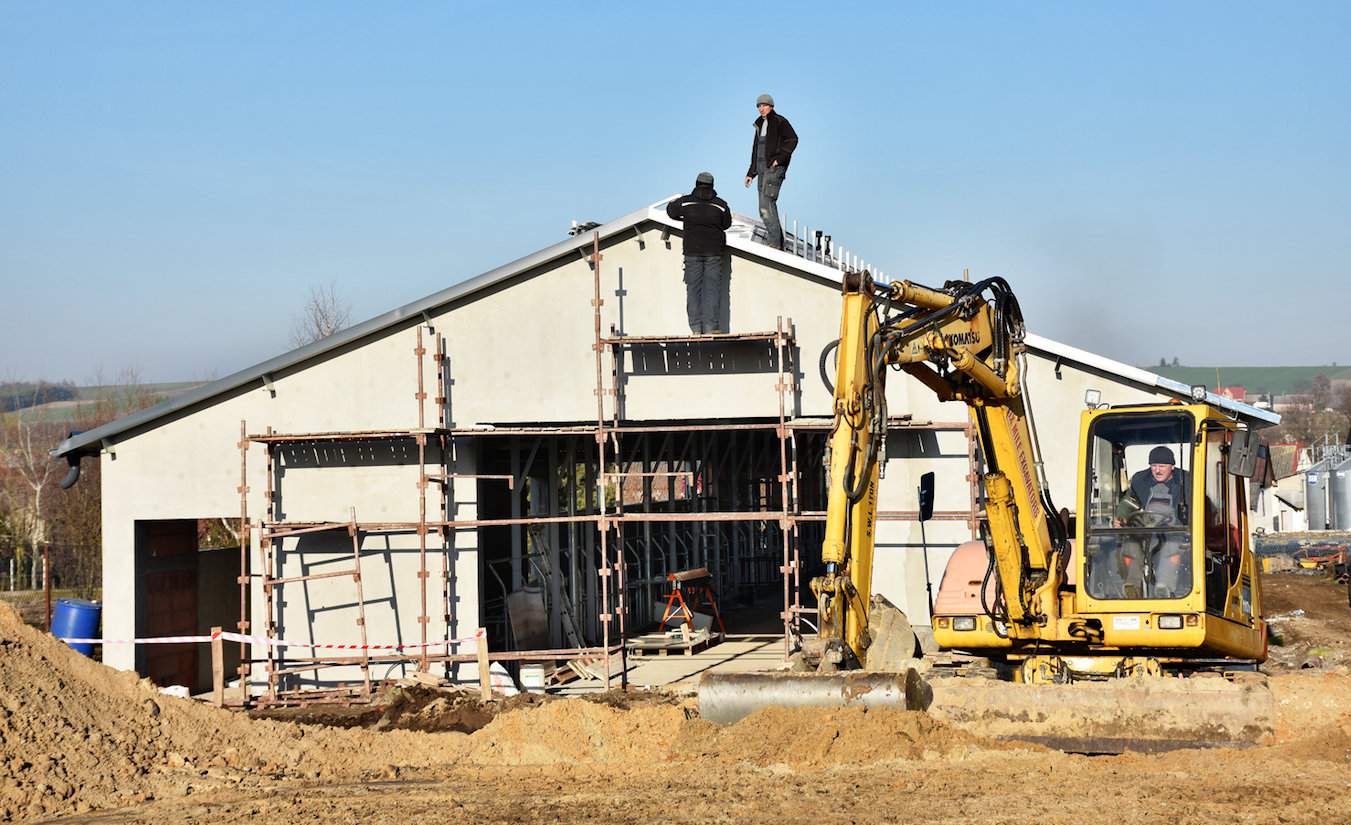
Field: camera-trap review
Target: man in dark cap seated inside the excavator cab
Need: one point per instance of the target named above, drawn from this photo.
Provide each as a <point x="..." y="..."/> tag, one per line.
<point x="1157" y="499"/>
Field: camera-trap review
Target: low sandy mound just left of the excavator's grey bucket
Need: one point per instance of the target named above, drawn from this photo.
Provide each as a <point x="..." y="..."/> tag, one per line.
<point x="571" y="733"/>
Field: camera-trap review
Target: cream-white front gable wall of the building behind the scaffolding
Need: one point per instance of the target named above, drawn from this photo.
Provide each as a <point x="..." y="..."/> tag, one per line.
<point x="522" y="353"/>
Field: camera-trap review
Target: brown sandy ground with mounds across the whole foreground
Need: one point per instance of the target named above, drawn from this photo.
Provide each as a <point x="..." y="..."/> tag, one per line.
<point x="79" y="739"/>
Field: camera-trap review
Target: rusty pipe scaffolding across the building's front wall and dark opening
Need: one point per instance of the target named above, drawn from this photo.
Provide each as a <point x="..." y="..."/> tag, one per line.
<point x="606" y="525"/>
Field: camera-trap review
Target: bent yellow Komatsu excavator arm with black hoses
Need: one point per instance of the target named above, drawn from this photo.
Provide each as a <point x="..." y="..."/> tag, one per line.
<point x="965" y="344"/>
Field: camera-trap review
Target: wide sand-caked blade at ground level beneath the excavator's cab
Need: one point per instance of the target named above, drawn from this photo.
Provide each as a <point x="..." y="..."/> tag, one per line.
<point x="1113" y="716"/>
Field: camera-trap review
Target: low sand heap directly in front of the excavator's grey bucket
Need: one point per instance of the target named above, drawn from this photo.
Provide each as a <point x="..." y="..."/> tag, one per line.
<point x="815" y="739"/>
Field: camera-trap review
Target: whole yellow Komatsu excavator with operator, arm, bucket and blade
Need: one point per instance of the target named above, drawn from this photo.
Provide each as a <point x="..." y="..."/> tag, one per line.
<point x="1134" y="626"/>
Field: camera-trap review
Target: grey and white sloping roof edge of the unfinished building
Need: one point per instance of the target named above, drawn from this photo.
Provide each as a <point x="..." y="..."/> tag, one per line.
<point x="740" y="238"/>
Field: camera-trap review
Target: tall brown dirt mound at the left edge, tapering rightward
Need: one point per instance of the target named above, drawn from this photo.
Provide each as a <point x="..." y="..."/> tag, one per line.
<point x="76" y="735"/>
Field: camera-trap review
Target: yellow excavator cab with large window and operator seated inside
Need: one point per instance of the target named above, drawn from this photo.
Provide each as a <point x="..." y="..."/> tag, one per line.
<point x="1165" y="560"/>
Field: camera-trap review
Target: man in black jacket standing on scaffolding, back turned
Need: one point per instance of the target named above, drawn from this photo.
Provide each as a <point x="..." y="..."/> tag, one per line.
<point x="707" y="218"/>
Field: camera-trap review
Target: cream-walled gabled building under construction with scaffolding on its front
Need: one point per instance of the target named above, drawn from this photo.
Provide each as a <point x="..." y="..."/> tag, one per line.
<point x="534" y="452"/>
